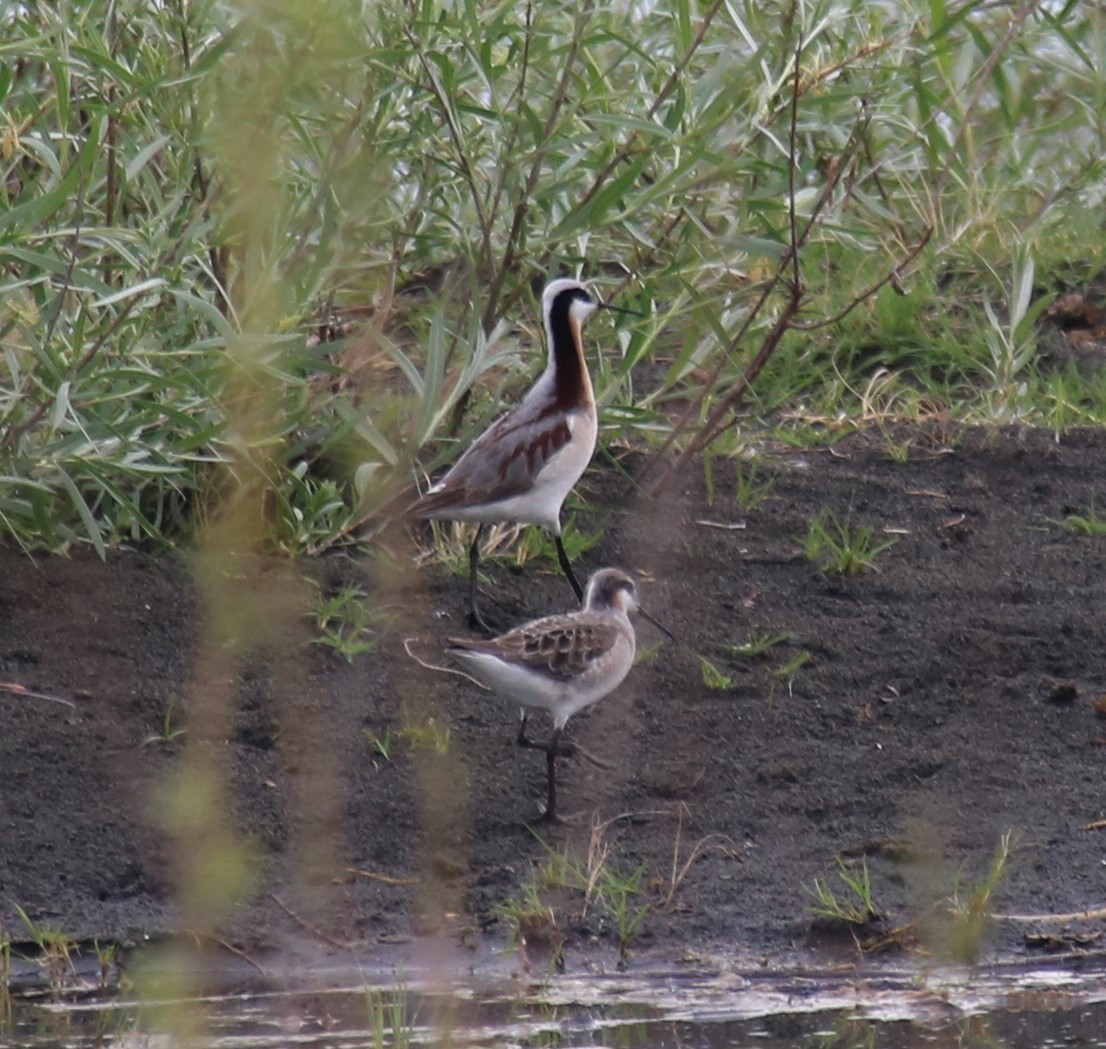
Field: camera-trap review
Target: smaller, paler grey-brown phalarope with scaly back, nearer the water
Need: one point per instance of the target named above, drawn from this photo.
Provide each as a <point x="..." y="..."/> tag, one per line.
<point x="561" y="663"/>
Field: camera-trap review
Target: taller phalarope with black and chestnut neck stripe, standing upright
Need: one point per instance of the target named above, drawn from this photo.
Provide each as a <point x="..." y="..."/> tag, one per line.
<point x="525" y="465"/>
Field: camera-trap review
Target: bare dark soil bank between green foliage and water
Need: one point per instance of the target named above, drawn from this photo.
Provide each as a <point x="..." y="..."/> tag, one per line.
<point x="947" y="698"/>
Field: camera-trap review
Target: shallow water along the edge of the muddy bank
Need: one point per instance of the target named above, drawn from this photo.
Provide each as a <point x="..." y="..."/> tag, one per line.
<point x="1016" y="1008"/>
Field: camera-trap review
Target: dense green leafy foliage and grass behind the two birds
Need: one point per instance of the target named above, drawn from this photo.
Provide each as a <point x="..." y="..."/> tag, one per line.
<point x="283" y="248"/>
